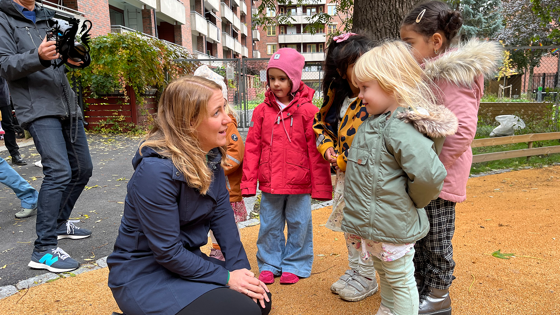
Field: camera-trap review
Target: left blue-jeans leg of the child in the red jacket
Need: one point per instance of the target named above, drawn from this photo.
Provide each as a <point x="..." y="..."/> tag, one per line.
<point x="271" y="241"/>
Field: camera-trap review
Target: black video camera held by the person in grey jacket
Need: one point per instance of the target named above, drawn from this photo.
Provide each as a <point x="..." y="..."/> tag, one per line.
<point x="64" y="34"/>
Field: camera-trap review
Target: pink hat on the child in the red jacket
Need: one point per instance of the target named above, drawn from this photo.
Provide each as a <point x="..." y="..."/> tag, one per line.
<point x="291" y="62"/>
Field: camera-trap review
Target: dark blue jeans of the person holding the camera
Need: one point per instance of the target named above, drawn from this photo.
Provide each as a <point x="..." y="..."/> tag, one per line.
<point x="67" y="168"/>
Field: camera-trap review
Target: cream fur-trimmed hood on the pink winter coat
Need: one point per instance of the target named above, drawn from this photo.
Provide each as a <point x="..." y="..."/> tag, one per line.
<point x="463" y="64"/>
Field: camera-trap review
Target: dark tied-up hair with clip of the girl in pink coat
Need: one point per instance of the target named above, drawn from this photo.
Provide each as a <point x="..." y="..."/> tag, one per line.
<point x="438" y="17"/>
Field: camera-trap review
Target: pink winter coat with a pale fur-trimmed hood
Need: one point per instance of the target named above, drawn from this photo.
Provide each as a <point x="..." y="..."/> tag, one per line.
<point x="459" y="74"/>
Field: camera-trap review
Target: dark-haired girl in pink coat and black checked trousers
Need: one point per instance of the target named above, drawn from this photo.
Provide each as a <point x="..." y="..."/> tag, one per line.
<point x="431" y="28"/>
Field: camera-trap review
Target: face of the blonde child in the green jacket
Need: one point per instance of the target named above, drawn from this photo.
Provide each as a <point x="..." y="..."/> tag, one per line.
<point x="375" y="99"/>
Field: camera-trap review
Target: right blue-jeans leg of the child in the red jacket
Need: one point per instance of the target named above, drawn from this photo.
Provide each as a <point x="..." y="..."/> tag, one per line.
<point x="298" y="254"/>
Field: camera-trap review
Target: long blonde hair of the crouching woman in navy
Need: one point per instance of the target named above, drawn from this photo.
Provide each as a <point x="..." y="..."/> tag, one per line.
<point x="182" y="107"/>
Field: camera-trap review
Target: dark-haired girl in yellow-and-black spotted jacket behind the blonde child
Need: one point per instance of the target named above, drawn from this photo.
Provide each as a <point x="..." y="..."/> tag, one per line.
<point x="335" y="126"/>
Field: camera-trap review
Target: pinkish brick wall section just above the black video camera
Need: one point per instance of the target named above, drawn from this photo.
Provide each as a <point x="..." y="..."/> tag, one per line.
<point x="95" y="10"/>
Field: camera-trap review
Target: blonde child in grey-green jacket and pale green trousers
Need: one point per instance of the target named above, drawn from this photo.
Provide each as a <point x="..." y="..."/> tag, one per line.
<point x="393" y="169"/>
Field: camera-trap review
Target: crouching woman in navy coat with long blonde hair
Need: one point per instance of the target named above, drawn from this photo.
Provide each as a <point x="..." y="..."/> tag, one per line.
<point x="176" y="195"/>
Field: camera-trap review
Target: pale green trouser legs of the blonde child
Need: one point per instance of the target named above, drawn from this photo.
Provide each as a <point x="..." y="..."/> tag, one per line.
<point x="398" y="287"/>
